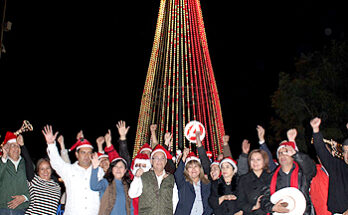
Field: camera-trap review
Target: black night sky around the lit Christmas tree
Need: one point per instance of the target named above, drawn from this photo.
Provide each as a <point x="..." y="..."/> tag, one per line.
<point x="82" y="65"/>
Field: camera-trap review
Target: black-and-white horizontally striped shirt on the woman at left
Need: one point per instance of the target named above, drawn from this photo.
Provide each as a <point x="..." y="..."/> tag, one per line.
<point x="44" y="197"/>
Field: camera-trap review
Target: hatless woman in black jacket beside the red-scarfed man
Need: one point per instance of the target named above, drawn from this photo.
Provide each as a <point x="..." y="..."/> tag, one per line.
<point x="252" y="185"/>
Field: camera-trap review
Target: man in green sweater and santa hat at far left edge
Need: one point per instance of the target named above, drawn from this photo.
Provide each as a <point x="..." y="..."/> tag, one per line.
<point x="14" y="193"/>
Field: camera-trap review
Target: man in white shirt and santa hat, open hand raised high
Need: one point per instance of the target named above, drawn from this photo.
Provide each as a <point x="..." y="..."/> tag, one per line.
<point x="80" y="198"/>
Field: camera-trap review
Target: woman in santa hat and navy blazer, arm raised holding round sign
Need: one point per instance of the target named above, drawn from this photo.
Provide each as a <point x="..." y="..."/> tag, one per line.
<point x="193" y="186"/>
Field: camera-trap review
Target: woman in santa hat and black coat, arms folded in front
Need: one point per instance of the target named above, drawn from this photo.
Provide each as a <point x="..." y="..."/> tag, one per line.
<point x="223" y="190"/>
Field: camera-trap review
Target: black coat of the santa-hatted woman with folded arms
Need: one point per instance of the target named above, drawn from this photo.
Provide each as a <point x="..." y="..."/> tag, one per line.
<point x="220" y="188"/>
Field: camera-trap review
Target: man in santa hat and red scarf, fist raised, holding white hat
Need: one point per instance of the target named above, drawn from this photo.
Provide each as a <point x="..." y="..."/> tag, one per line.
<point x="295" y="170"/>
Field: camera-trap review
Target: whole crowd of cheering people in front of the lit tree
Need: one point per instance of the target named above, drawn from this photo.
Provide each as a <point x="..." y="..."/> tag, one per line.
<point x="158" y="182"/>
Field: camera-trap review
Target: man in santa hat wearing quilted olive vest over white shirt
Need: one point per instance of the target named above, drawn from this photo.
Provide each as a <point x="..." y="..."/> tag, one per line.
<point x="156" y="188"/>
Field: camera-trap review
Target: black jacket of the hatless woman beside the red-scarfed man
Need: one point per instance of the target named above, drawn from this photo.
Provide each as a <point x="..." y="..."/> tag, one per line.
<point x="250" y="187"/>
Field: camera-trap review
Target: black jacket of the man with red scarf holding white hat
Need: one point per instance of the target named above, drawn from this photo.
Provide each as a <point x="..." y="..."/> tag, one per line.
<point x="307" y="170"/>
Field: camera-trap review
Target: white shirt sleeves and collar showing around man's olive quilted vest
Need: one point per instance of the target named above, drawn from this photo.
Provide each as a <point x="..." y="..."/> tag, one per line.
<point x="136" y="189"/>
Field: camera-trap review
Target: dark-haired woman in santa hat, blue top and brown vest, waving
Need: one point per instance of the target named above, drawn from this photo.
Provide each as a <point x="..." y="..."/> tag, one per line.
<point x="113" y="187"/>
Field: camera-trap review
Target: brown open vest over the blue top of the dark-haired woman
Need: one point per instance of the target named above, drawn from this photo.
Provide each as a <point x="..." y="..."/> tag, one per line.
<point x="108" y="200"/>
